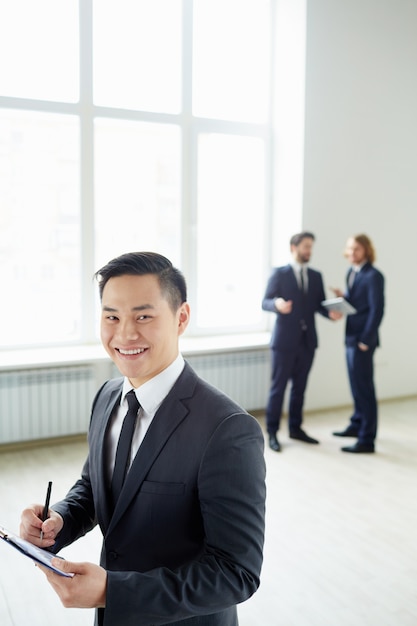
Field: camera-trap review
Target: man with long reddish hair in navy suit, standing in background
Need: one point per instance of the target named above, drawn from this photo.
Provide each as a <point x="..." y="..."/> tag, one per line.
<point x="365" y="291"/>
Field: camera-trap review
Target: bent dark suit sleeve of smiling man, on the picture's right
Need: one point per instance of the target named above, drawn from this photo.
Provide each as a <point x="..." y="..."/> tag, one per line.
<point x="231" y="488"/>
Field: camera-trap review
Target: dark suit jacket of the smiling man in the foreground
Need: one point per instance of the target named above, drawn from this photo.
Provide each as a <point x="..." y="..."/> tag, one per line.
<point x="186" y="536"/>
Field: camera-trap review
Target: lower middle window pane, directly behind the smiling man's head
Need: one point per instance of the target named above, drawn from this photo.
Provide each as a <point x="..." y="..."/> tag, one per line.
<point x="137" y="188"/>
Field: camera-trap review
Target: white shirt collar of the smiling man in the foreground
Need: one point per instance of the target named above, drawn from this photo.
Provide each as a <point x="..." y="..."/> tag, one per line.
<point x="151" y="394"/>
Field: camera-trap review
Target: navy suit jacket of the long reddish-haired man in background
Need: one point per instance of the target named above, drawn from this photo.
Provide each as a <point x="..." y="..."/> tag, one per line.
<point x="367" y="296"/>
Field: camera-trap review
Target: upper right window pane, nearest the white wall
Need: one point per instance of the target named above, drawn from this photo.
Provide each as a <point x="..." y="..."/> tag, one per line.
<point x="231" y="59"/>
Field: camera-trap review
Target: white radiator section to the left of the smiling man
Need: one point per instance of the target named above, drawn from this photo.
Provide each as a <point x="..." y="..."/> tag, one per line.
<point x="47" y="402"/>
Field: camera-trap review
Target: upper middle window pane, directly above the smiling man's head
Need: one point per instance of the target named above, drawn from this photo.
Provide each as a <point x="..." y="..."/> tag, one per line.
<point x="137" y="54"/>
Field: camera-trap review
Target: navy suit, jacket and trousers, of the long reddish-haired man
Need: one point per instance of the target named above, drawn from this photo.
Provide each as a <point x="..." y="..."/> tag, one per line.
<point x="367" y="296"/>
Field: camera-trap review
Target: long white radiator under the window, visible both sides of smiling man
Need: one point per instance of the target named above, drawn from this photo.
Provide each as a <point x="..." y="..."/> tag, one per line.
<point x="56" y="401"/>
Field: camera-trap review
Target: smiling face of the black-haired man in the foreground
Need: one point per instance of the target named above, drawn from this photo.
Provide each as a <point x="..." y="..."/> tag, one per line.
<point x="139" y="329"/>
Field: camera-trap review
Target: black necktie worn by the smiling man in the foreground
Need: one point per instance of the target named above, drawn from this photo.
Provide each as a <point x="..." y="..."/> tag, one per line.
<point x="124" y="445"/>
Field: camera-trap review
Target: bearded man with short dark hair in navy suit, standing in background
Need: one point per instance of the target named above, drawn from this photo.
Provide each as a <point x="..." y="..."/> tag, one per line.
<point x="294" y="293"/>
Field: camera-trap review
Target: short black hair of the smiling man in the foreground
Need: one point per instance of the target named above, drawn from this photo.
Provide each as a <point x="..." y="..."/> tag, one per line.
<point x="171" y="280"/>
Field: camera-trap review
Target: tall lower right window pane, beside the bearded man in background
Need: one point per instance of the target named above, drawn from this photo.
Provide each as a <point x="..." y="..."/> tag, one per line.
<point x="231" y="214"/>
